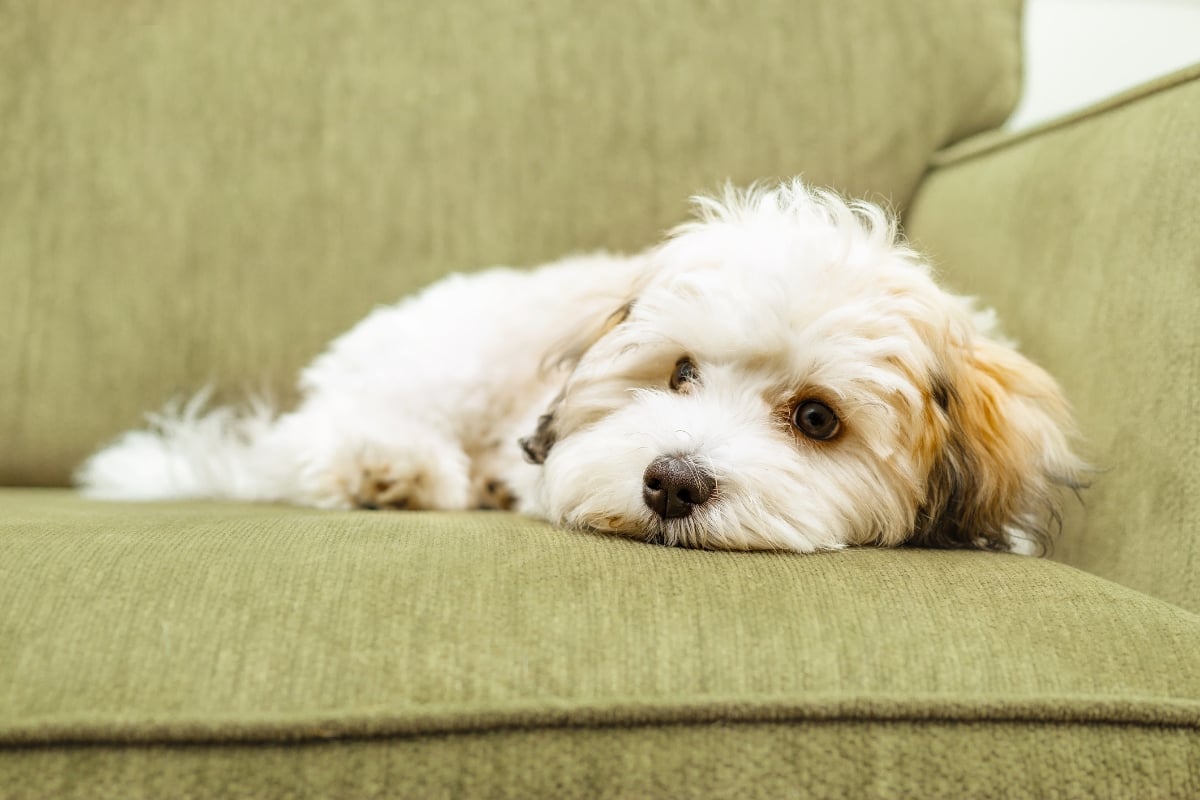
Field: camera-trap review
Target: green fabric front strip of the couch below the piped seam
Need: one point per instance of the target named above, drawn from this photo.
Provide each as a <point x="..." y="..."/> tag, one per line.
<point x="836" y="761"/>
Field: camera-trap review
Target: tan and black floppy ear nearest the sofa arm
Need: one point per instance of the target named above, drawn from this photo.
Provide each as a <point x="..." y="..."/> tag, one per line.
<point x="1004" y="454"/>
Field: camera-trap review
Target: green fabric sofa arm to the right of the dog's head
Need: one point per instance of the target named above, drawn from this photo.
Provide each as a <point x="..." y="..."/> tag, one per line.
<point x="1085" y="234"/>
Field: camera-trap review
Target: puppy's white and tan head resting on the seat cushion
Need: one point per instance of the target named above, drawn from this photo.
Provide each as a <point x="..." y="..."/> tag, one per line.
<point x="790" y="377"/>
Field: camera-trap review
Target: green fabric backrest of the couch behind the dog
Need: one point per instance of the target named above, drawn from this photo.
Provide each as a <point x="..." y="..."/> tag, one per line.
<point x="211" y="191"/>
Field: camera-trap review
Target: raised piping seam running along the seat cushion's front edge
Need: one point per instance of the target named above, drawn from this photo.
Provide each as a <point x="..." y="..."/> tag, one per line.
<point x="1151" y="713"/>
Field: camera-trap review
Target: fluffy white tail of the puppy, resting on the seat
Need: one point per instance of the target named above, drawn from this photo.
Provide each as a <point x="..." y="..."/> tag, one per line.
<point x="189" y="453"/>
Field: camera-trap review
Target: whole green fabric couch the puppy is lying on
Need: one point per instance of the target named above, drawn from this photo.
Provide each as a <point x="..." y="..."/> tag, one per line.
<point x="199" y="193"/>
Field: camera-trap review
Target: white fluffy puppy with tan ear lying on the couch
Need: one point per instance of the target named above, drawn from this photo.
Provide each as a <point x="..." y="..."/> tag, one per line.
<point x="782" y="372"/>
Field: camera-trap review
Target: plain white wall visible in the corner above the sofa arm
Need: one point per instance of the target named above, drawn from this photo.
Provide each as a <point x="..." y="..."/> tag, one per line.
<point x="1082" y="51"/>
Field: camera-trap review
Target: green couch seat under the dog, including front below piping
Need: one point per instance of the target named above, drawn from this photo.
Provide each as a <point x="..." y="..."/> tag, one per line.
<point x="213" y="651"/>
